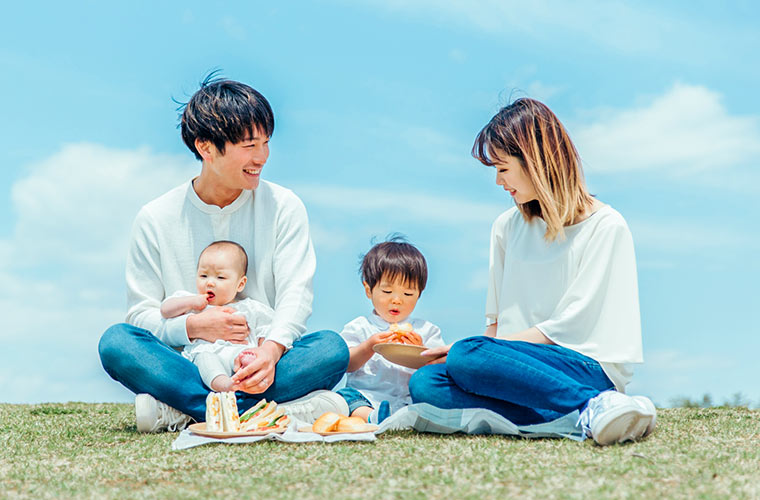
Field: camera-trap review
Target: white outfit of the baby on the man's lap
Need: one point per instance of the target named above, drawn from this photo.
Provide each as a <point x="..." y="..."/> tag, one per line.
<point x="218" y="358"/>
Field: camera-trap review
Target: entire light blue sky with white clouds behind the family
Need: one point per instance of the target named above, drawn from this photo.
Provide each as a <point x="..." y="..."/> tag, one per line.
<point x="377" y="105"/>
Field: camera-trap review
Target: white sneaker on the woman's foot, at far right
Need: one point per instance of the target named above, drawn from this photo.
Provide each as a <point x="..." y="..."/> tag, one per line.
<point x="612" y="417"/>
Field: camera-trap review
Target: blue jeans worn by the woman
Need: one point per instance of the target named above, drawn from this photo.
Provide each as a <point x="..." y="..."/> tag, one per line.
<point x="524" y="382"/>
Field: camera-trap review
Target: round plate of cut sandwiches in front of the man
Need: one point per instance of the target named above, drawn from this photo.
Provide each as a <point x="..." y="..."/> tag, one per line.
<point x="223" y="420"/>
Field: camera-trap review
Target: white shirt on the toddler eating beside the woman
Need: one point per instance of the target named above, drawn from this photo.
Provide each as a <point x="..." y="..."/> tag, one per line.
<point x="379" y="379"/>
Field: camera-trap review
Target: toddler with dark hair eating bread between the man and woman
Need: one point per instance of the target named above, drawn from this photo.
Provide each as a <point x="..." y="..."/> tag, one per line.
<point x="394" y="274"/>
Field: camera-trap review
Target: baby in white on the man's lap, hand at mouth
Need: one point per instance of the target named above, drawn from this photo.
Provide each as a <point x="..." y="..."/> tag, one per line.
<point x="221" y="275"/>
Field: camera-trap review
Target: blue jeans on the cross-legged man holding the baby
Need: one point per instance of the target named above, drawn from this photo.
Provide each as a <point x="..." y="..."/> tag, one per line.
<point x="144" y="364"/>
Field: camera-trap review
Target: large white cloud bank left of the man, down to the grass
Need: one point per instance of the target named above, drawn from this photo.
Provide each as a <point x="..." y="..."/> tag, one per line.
<point x="65" y="260"/>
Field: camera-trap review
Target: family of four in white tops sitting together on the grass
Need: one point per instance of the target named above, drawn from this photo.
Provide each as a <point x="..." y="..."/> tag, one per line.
<point x="219" y="279"/>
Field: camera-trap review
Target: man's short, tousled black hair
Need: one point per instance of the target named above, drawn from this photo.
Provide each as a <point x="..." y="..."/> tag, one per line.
<point x="224" y="111"/>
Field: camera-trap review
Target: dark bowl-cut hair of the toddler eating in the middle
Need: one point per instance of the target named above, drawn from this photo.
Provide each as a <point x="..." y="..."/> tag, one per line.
<point x="394" y="258"/>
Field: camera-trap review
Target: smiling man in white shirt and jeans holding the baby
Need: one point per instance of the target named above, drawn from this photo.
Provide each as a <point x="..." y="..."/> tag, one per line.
<point x="227" y="125"/>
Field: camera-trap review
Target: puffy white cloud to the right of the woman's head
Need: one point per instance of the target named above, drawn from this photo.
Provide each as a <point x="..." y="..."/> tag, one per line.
<point x="687" y="129"/>
